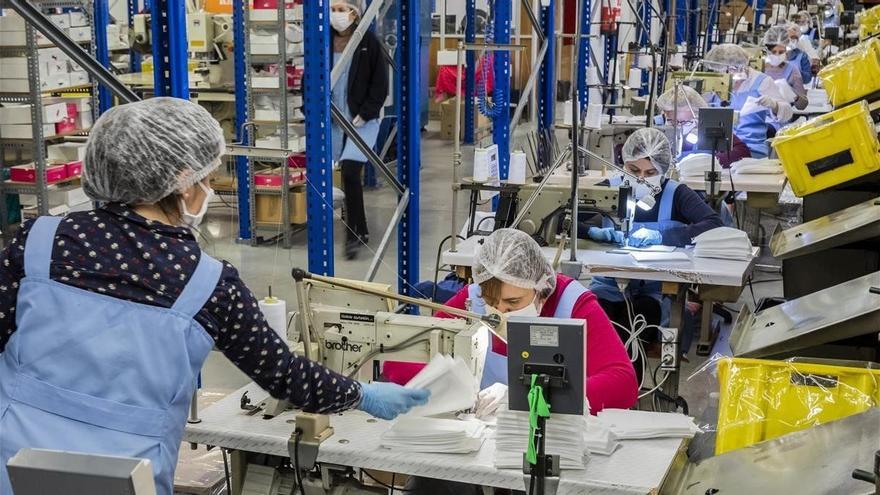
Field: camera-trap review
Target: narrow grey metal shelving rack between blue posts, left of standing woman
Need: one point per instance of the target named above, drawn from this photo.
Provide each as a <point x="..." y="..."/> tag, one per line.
<point x="281" y="59"/>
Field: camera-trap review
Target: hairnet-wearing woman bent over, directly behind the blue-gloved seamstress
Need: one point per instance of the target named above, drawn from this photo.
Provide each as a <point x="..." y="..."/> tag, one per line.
<point x="685" y="108"/>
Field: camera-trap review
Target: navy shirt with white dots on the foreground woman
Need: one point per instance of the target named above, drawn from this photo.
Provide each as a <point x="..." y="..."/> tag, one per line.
<point x="116" y="252"/>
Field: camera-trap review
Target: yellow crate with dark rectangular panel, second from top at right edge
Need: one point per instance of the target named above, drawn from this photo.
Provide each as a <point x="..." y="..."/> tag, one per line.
<point x="829" y="150"/>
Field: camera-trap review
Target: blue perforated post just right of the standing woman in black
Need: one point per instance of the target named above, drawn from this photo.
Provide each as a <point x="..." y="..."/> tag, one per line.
<point x="408" y="99"/>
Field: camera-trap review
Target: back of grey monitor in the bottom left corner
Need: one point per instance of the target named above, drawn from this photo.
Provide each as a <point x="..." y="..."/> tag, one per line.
<point x="39" y="471"/>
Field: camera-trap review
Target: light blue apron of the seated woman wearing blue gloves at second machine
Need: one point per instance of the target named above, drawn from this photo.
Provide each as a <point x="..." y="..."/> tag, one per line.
<point x="606" y="288"/>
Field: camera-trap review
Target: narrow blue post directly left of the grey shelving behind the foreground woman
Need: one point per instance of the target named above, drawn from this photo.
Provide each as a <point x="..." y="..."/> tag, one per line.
<point x="241" y="135"/>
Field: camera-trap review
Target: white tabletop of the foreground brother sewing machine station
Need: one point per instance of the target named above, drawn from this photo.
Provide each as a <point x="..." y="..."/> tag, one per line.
<point x="637" y="467"/>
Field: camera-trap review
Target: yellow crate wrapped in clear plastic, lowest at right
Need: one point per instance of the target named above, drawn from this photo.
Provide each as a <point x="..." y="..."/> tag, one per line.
<point x="761" y="400"/>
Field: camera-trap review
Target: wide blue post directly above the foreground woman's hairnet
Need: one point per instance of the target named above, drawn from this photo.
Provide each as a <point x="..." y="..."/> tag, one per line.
<point x="170" y="71"/>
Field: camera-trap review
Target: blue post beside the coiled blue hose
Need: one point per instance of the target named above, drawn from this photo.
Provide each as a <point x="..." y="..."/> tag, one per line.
<point x="501" y="122"/>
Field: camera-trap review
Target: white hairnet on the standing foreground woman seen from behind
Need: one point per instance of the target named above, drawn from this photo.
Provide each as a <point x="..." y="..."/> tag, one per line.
<point x="141" y="152"/>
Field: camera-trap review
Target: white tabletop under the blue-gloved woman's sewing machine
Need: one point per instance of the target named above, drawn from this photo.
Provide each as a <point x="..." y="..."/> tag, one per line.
<point x="598" y="261"/>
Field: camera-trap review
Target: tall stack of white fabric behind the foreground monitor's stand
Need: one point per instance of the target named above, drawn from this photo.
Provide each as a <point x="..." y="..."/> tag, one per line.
<point x="565" y="438"/>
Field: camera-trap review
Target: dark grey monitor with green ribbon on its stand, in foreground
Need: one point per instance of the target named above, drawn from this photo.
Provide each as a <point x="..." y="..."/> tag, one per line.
<point x="554" y="347"/>
